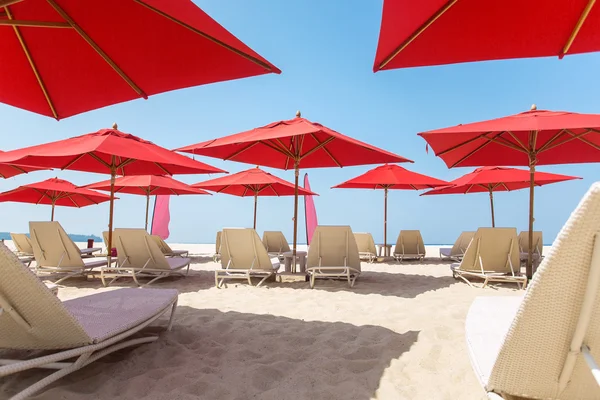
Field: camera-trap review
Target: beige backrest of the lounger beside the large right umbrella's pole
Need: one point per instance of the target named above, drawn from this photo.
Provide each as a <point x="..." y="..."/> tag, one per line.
<point x="492" y="246"/>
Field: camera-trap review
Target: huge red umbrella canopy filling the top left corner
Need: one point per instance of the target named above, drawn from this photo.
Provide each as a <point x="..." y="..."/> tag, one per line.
<point x="52" y="48"/>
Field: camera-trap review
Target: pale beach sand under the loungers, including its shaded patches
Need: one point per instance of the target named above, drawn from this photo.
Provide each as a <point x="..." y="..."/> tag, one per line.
<point x="399" y="334"/>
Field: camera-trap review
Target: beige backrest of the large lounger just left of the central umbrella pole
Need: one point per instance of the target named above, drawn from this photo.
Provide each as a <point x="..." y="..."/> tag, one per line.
<point x="241" y="248"/>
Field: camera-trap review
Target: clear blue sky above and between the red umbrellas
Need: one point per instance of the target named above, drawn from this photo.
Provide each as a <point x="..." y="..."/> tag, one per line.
<point x="326" y="50"/>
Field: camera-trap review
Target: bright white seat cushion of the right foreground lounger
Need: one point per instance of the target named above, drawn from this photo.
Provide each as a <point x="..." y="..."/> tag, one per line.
<point x="486" y="326"/>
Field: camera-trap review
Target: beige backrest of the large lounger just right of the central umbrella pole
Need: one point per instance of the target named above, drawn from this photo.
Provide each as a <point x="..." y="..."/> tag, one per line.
<point x="333" y="245"/>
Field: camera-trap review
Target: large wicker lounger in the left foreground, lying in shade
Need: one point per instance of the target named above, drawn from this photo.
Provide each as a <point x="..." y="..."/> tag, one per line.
<point x="73" y="333"/>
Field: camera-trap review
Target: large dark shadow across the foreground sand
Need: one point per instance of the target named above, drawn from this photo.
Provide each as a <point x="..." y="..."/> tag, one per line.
<point x="211" y="354"/>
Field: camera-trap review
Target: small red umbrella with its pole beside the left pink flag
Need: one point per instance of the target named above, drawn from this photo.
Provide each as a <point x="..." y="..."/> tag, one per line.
<point x="147" y="185"/>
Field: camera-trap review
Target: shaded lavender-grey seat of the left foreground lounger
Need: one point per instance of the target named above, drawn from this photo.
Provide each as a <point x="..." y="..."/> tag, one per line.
<point x="110" y="313"/>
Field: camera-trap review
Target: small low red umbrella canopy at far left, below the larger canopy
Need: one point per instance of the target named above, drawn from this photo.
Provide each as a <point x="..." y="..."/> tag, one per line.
<point x="55" y="192"/>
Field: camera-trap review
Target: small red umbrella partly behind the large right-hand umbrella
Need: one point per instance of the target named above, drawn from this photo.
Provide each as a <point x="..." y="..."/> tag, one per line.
<point x="497" y="179"/>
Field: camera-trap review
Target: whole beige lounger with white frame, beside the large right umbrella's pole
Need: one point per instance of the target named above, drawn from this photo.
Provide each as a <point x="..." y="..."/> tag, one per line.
<point x="493" y="256"/>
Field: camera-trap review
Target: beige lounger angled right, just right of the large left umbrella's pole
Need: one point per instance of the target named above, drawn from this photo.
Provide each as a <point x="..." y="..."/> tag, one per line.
<point x="138" y="256"/>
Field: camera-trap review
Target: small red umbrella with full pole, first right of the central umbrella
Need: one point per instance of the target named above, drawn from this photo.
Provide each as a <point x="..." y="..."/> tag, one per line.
<point x="390" y="176"/>
